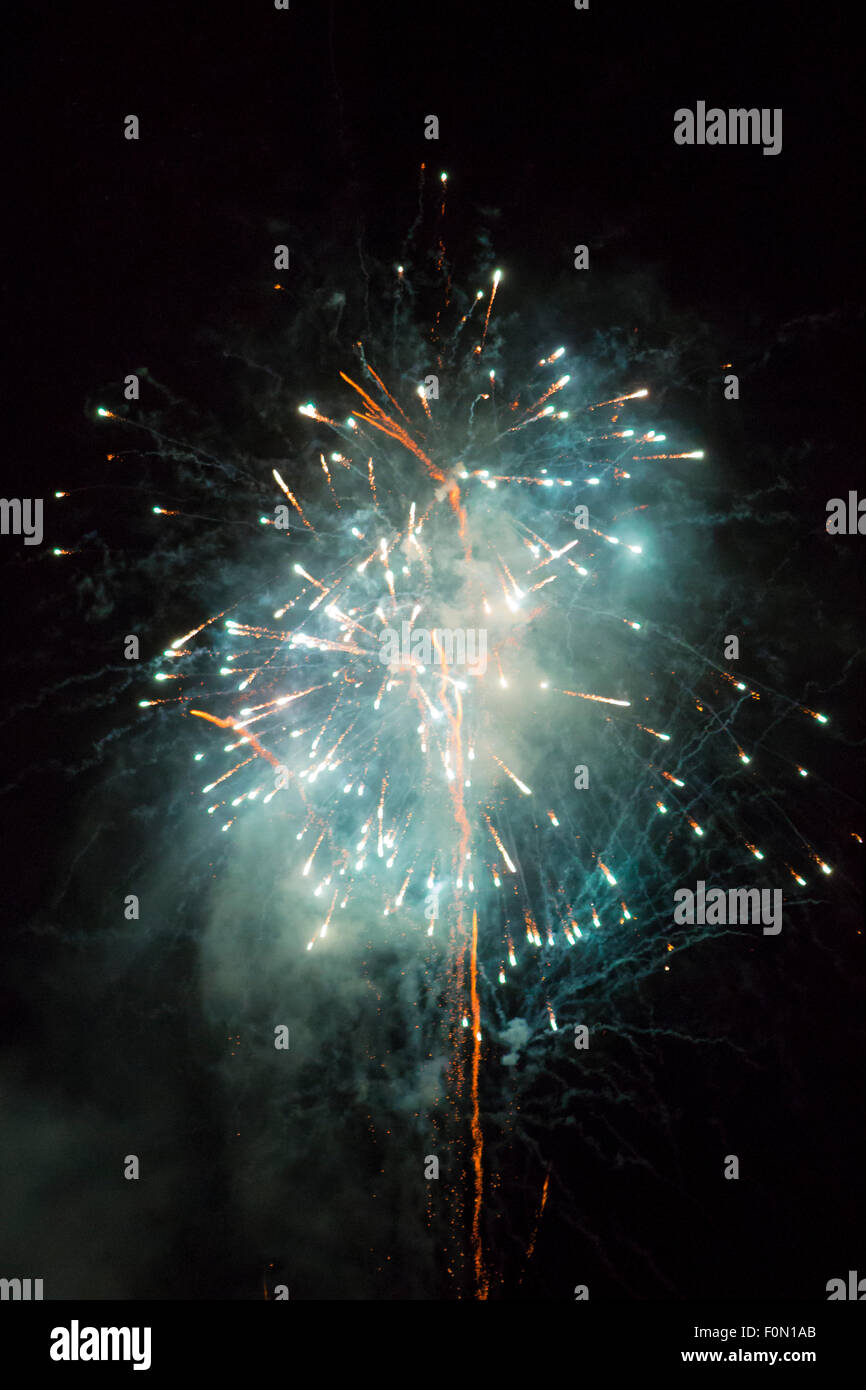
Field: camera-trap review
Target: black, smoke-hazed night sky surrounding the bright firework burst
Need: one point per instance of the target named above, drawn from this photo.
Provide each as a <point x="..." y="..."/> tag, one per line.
<point x="155" y="1038"/>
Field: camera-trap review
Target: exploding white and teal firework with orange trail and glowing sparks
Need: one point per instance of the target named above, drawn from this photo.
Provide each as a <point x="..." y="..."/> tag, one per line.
<point x="464" y="701"/>
